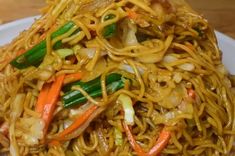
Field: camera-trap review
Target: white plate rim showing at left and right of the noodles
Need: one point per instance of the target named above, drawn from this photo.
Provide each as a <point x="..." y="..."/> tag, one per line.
<point x="11" y="30"/>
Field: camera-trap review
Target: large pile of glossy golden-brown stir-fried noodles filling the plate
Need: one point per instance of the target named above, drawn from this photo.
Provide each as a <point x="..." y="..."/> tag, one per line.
<point x="180" y="53"/>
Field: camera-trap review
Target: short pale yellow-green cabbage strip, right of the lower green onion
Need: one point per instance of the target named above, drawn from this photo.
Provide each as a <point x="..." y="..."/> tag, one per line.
<point x="129" y="112"/>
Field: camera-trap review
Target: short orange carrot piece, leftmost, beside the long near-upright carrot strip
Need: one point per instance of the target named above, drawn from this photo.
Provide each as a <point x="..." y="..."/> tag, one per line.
<point x="42" y="98"/>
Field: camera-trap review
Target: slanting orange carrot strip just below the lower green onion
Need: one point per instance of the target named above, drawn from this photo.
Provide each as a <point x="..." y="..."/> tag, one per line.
<point x="77" y="123"/>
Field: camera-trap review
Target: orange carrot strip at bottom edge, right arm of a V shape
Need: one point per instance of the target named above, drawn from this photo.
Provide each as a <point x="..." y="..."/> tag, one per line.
<point x="161" y="143"/>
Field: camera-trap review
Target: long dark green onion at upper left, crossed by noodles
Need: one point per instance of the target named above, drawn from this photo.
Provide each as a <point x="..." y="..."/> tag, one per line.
<point x="34" y="56"/>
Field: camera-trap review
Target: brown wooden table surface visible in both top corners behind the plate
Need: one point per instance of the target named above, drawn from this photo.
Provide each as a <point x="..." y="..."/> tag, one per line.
<point x="220" y="13"/>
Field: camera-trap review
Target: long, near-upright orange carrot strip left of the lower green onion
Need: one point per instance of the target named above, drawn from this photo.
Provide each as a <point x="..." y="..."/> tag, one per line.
<point x="51" y="101"/>
